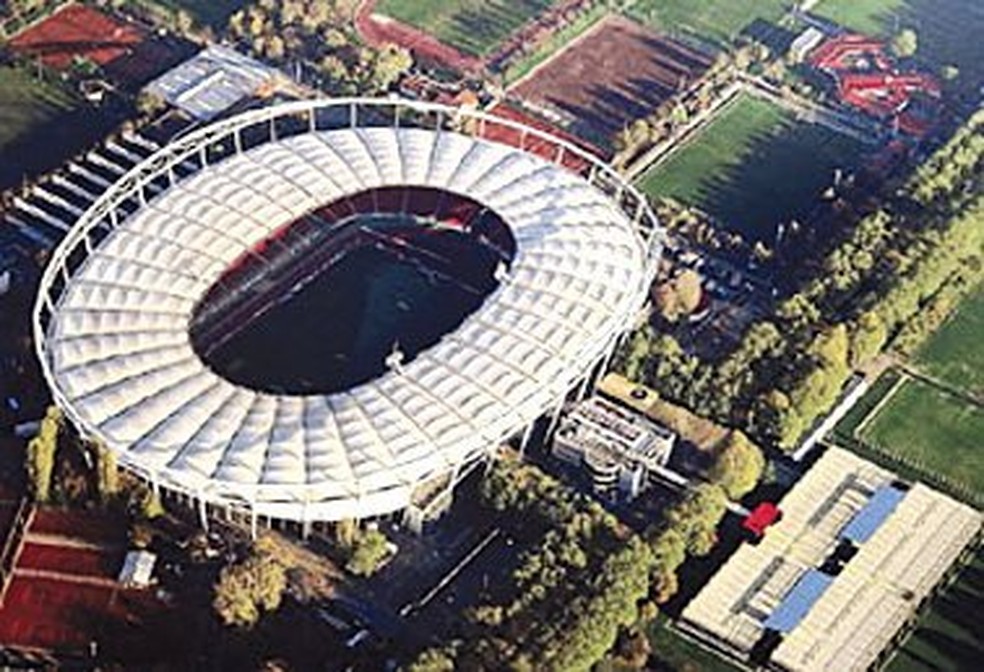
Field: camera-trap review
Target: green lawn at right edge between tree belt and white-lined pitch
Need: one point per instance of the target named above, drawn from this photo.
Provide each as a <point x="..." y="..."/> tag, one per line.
<point x="955" y="353"/>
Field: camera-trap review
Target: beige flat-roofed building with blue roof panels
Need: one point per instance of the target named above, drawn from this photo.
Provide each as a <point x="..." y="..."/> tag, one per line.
<point x="830" y="585"/>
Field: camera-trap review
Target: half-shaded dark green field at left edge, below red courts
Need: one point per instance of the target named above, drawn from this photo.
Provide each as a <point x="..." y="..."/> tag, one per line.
<point x="36" y="125"/>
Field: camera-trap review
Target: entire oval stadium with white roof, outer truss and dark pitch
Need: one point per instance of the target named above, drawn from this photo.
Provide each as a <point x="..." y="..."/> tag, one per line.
<point x="192" y="320"/>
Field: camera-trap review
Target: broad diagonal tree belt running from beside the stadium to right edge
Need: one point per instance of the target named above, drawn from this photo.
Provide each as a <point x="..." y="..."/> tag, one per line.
<point x="888" y="283"/>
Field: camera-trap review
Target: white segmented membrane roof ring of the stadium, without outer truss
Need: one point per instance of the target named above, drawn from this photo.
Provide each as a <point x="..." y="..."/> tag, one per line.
<point x="119" y="350"/>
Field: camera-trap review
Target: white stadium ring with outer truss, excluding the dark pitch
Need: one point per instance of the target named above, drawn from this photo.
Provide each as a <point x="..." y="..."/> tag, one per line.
<point x="113" y="318"/>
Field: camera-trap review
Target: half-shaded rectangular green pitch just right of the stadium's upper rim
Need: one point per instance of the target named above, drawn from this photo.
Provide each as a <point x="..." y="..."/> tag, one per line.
<point x="753" y="166"/>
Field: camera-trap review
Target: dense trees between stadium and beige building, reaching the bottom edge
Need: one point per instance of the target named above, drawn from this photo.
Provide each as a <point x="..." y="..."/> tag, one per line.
<point x="585" y="582"/>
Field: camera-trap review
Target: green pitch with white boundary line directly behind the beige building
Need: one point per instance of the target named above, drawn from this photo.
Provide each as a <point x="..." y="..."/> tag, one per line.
<point x="934" y="430"/>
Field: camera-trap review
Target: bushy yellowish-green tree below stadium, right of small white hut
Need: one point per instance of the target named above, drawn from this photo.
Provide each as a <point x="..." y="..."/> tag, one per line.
<point x="250" y="588"/>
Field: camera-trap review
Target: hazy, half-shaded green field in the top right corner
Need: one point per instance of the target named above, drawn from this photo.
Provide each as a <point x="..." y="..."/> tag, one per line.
<point x="949" y="30"/>
